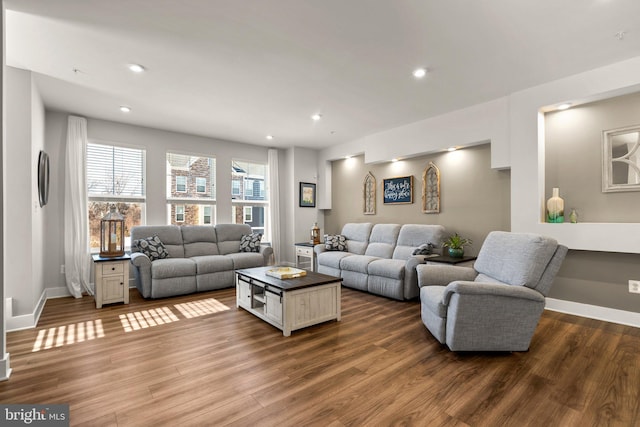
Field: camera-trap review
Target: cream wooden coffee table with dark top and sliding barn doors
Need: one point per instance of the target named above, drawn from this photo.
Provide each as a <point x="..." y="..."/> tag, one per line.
<point x="289" y="304"/>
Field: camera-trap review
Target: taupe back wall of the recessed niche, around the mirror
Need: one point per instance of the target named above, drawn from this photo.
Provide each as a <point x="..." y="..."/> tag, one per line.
<point x="573" y="159"/>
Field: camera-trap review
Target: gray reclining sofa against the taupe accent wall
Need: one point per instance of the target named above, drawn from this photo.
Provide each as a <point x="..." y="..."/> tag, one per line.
<point x="379" y="257"/>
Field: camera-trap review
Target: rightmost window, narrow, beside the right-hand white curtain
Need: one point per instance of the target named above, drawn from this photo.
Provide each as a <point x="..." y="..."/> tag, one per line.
<point x="248" y="193"/>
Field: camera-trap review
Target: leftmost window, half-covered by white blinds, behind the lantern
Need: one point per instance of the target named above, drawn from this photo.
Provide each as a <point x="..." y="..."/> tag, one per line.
<point x="115" y="175"/>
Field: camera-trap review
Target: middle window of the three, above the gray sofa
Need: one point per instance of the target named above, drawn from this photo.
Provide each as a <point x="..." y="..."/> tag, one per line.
<point x="191" y="194"/>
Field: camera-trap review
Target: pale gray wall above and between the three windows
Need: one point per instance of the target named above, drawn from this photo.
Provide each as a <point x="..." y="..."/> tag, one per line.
<point x="157" y="143"/>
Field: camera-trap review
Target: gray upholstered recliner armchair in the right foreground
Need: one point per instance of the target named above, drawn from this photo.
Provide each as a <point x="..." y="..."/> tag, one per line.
<point x="496" y="305"/>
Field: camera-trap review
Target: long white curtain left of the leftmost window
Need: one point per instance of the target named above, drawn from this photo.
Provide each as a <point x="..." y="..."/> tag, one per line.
<point x="77" y="256"/>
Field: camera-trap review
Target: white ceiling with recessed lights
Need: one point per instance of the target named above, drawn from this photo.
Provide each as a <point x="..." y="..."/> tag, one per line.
<point x="240" y="70"/>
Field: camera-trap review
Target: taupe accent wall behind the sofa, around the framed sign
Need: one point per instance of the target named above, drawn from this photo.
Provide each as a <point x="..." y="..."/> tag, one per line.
<point x="475" y="199"/>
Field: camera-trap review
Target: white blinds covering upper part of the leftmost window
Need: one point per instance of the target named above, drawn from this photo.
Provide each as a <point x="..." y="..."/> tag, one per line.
<point x="115" y="172"/>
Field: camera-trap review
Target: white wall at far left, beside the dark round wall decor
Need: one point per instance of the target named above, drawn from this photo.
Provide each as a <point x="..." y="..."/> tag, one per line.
<point x="23" y="241"/>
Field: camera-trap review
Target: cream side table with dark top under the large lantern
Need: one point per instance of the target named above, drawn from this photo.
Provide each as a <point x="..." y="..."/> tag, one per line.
<point x="111" y="277"/>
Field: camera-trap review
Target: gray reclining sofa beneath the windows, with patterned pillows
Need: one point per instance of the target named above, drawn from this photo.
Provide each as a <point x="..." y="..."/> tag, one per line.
<point x="200" y="258"/>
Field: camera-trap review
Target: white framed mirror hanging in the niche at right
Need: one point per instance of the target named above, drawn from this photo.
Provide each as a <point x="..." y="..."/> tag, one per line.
<point x="621" y="159"/>
